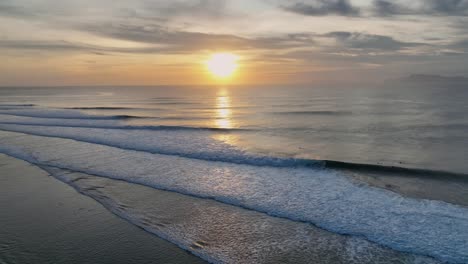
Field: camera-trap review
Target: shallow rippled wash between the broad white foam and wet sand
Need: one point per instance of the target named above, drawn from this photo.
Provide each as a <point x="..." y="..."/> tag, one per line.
<point x="270" y="239"/>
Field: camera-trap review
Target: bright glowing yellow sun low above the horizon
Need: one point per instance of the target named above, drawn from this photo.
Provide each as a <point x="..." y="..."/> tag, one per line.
<point x="222" y="65"/>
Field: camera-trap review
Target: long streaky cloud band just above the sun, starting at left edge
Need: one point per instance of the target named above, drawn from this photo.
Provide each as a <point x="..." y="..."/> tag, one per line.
<point x="162" y="40"/>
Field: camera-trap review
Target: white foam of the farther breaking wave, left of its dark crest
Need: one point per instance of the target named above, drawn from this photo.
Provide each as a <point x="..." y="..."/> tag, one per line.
<point x="198" y="144"/>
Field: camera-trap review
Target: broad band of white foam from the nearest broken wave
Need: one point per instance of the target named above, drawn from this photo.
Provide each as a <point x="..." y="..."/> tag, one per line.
<point x="322" y="197"/>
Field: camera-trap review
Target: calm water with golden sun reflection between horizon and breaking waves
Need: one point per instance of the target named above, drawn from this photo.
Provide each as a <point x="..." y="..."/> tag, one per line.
<point x="424" y="128"/>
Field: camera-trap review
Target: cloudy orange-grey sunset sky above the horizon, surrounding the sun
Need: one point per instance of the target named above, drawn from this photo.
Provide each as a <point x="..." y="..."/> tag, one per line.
<point x="143" y="42"/>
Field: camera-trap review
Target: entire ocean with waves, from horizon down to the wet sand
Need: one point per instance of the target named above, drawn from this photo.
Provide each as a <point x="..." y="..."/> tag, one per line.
<point x="277" y="174"/>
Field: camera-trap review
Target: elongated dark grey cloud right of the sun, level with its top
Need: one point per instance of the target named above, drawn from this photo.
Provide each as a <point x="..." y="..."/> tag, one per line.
<point x="362" y="41"/>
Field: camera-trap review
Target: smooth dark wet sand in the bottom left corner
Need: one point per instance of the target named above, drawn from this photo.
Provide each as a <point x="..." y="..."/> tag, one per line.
<point x="45" y="221"/>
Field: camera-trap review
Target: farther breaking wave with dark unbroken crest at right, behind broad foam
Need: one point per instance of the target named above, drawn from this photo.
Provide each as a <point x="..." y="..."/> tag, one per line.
<point x="173" y="140"/>
